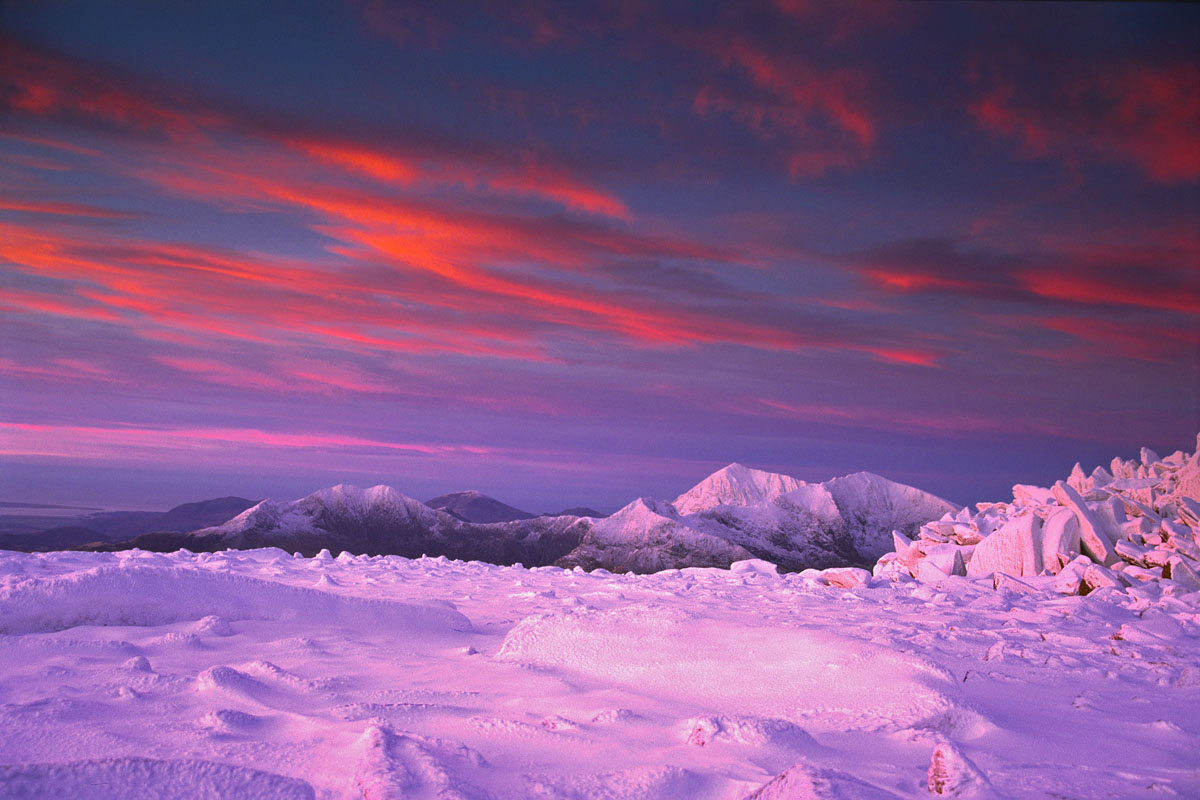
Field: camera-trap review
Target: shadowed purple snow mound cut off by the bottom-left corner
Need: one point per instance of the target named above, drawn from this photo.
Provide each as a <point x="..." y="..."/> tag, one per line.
<point x="145" y="779"/>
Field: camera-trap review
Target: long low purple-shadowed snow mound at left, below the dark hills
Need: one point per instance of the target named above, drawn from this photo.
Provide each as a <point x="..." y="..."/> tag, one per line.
<point x="131" y="594"/>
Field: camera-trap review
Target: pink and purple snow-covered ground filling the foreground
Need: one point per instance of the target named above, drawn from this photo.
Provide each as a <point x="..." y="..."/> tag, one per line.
<point x="256" y="675"/>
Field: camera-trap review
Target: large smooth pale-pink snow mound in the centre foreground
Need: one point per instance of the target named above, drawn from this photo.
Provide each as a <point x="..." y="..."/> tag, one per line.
<point x="812" y="678"/>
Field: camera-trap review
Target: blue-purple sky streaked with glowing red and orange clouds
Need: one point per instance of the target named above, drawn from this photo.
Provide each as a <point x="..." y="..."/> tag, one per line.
<point x="578" y="254"/>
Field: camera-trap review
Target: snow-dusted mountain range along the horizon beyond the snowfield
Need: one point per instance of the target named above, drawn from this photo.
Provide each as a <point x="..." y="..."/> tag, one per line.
<point x="735" y="514"/>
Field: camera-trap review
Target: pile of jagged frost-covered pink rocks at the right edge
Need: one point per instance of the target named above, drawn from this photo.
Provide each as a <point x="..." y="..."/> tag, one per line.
<point x="1135" y="522"/>
